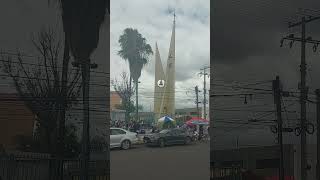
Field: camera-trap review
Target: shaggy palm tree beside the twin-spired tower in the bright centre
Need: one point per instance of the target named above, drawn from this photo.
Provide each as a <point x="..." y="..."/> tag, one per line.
<point x="136" y="51"/>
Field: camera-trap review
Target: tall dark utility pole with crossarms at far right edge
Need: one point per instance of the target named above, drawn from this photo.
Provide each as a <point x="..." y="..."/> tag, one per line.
<point x="302" y="85"/>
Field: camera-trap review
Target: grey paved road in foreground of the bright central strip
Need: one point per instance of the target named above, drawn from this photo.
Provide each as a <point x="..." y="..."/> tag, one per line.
<point x="185" y="162"/>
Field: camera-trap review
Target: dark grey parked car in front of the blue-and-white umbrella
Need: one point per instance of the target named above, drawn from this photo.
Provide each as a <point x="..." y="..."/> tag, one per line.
<point x="168" y="137"/>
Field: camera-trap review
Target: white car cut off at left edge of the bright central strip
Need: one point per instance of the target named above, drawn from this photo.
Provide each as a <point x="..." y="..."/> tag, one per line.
<point x="122" y="138"/>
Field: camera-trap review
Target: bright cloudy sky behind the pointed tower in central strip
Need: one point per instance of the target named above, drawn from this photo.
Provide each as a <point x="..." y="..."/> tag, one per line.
<point x="154" y="20"/>
